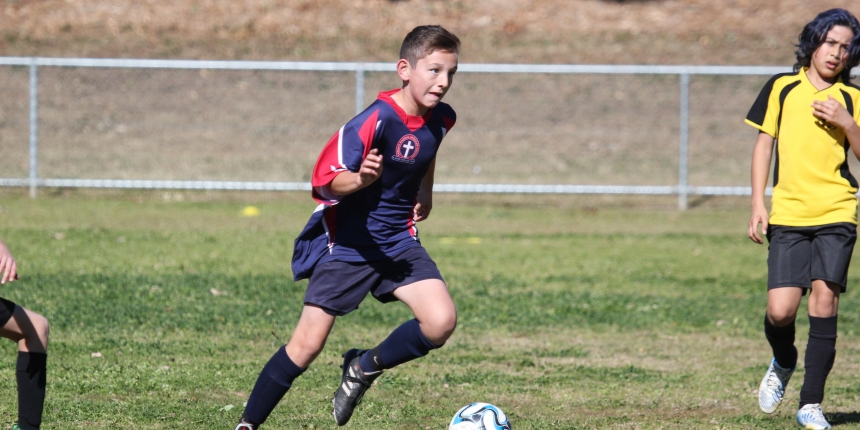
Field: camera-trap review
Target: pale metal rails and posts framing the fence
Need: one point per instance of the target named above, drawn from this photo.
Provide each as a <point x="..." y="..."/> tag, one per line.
<point x="682" y="189"/>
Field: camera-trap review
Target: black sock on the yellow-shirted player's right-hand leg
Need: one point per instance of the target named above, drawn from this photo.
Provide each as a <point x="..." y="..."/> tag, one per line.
<point x="820" y="353"/>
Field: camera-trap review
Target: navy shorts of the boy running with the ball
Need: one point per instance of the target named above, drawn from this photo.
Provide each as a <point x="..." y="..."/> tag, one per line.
<point x="338" y="287"/>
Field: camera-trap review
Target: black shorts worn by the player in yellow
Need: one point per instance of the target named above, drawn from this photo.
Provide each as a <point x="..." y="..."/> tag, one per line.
<point x="799" y="255"/>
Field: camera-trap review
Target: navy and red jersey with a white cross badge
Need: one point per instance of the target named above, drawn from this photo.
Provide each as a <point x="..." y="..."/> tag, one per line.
<point x="374" y="222"/>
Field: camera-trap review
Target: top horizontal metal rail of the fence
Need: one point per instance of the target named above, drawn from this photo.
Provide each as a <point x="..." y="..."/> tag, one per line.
<point x="385" y="67"/>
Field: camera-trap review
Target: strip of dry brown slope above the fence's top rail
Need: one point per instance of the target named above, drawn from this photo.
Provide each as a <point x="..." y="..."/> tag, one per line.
<point x="517" y="31"/>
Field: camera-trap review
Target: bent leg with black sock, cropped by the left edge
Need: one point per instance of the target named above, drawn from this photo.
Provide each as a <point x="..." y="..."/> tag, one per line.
<point x="30" y="330"/>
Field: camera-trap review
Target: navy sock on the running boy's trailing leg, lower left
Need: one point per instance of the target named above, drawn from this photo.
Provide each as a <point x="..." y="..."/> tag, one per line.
<point x="273" y="383"/>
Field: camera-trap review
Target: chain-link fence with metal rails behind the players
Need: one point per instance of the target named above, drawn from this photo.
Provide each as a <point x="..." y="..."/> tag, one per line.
<point x="260" y="125"/>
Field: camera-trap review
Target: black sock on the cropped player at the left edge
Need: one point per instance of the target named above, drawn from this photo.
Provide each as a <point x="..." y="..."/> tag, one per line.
<point x="31" y="388"/>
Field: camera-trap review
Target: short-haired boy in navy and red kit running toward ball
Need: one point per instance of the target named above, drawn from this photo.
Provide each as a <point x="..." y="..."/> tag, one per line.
<point x="374" y="181"/>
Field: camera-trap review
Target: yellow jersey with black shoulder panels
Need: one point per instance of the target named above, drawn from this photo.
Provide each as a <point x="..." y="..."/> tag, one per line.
<point x="811" y="181"/>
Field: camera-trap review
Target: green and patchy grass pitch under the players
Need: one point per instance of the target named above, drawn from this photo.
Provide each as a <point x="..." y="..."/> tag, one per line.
<point x="571" y="315"/>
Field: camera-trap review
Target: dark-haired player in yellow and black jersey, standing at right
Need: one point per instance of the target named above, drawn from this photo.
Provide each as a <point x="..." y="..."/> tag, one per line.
<point x="812" y="116"/>
